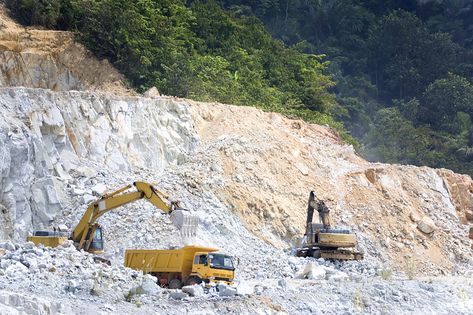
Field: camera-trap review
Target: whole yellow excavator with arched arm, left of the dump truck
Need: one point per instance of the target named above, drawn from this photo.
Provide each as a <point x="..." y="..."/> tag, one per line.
<point x="88" y="235"/>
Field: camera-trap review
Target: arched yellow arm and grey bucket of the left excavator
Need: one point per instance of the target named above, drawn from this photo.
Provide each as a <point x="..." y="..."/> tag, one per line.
<point x="83" y="233"/>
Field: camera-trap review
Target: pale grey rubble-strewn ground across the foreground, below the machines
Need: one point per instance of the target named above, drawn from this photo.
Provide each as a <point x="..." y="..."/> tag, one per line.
<point x="37" y="280"/>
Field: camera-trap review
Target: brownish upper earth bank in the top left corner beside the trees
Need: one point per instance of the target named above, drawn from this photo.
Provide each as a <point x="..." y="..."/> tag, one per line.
<point x="51" y="59"/>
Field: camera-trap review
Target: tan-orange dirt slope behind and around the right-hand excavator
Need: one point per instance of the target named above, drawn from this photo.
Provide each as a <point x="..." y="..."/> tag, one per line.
<point x="271" y="163"/>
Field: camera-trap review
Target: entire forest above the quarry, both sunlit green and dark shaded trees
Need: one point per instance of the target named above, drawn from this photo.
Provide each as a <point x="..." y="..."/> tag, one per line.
<point x="403" y="69"/>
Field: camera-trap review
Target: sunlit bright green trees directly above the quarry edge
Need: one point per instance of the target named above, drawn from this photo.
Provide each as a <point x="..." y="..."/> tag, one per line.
<point x="197" y="51"/>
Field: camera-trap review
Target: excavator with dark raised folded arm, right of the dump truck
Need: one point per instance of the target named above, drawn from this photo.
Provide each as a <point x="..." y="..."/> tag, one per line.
<point x="321" y="240"/>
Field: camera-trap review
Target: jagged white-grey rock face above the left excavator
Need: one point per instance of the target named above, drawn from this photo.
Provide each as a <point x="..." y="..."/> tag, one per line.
<point x="44" y="135"/>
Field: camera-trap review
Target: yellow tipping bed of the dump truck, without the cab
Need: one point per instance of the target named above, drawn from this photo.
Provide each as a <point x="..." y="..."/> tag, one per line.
<point x="171" y="260"/>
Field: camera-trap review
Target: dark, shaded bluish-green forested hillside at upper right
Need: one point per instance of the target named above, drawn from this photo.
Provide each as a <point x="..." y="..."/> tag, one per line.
<point x="403" y="70"/>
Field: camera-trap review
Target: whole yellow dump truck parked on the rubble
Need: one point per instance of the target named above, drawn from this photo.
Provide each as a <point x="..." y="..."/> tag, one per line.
<point x="185" y="266"/>
